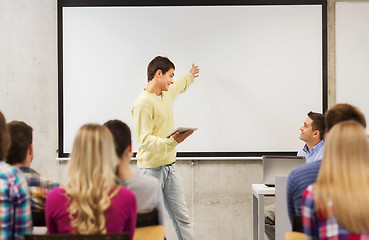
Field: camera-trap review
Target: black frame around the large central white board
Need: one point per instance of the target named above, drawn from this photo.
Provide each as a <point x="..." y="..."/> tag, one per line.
<point x="257" y="153"/>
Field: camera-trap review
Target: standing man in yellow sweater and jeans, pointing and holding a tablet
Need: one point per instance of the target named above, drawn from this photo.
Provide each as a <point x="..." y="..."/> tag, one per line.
<point x="153" y="121"/>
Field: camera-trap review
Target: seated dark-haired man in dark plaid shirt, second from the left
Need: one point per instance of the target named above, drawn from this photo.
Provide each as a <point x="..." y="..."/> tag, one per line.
<point x="21" y="155"/>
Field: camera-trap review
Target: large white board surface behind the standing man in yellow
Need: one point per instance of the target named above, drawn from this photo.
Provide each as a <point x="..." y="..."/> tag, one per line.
<point x="260" y="70"/>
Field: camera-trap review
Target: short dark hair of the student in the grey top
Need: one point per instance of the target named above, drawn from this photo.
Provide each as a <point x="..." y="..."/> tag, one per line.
<point x="121" y="134"/>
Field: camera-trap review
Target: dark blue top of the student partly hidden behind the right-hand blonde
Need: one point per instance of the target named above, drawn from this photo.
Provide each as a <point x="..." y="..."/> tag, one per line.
<point x="298" y="180"/>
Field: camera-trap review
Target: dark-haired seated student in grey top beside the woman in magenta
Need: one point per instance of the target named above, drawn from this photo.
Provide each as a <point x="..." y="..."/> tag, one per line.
<point x="147" y="189"/>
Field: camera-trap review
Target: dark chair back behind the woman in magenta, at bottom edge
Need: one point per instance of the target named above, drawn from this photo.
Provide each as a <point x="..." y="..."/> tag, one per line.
<point x="117" y="236"/>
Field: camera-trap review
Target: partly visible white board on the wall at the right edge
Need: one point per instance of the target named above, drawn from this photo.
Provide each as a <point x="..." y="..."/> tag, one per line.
<point x="352" y="54"/>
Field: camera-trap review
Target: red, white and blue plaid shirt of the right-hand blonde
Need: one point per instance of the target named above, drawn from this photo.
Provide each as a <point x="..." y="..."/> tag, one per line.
<point x="317" y="226"/>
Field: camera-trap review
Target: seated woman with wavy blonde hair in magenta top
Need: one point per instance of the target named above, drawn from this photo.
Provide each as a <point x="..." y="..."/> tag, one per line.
<point x="91" y="202"/>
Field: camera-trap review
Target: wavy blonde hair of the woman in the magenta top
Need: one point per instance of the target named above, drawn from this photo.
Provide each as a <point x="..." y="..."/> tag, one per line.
<point x="91" y="179"/>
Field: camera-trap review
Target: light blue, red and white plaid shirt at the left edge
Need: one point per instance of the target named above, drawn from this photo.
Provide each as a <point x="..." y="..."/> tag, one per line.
<point x="15" y="208"/>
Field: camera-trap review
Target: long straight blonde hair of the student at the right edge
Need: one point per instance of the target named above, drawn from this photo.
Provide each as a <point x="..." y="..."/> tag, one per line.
<point x="343" y="180"/>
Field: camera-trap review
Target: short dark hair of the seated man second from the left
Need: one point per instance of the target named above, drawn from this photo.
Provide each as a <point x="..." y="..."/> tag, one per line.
<point x="21" y="135"/>
